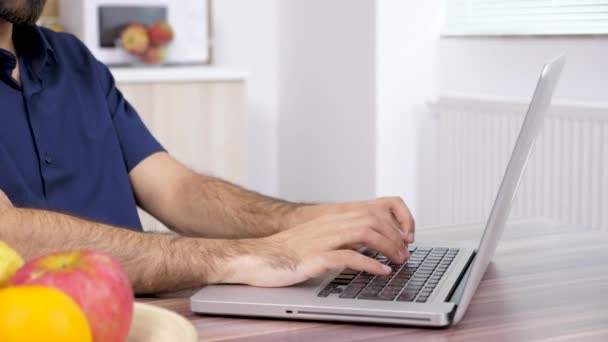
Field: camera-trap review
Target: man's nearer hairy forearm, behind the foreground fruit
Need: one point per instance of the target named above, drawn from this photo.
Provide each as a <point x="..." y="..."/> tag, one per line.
<point x="154" y="263"/>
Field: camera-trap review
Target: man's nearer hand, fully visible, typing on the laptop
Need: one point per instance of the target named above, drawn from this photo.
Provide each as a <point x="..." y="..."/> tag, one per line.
<point x="311" y="249"/>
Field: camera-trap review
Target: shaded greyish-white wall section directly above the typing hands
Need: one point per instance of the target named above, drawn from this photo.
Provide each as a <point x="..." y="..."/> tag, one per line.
<point x="327" y="100"/>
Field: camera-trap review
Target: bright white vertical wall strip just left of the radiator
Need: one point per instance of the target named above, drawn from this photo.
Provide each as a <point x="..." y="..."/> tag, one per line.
<point x="407" y="60"/>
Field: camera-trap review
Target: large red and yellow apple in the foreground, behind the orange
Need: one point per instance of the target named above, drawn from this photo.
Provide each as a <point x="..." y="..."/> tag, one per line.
<point x="95" y="280"/>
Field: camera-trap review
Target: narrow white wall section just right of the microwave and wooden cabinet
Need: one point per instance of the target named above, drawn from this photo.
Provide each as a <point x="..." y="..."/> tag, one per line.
<point x="246" y="35"/>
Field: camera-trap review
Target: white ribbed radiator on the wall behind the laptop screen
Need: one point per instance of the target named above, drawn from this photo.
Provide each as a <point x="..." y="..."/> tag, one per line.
<point x="566" y="177"/>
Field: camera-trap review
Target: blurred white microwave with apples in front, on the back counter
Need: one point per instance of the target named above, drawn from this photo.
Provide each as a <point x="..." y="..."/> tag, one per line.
<point x="134" y="32"/>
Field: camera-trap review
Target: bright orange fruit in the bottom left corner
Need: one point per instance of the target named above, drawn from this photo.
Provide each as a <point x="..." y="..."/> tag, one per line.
<point x="39" y="313"/>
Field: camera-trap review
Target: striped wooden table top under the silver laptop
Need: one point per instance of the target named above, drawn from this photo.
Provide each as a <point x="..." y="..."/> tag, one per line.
<point x="547" y="282"/>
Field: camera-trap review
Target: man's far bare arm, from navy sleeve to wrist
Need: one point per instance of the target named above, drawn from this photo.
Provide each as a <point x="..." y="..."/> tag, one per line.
<point x="198" y="205"/>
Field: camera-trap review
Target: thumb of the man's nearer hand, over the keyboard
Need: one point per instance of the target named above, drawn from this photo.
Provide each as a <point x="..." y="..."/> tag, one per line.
<point x="341" y="259"/>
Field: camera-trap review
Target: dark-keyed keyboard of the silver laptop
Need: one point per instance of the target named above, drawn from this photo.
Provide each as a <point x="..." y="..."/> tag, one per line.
<point x="412" y="281"/>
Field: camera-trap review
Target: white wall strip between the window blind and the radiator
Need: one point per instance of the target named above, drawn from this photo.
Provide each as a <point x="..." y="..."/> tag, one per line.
<point x="510" y="66"/>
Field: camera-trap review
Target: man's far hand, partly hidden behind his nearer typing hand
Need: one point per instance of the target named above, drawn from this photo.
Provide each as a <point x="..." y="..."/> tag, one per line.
<point x="390" y="211"/>
